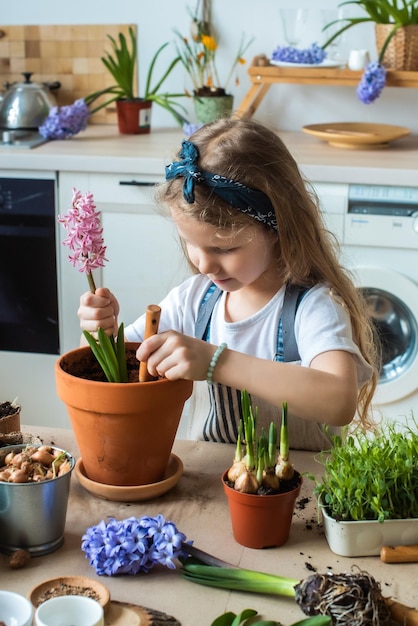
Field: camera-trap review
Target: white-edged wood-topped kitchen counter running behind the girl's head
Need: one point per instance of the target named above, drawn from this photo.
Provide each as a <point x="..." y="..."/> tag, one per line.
<point x="103" y="149"/>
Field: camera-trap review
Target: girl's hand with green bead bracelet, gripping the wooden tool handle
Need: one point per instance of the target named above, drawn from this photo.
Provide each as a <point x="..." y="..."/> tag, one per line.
<point x="174" y="356"/>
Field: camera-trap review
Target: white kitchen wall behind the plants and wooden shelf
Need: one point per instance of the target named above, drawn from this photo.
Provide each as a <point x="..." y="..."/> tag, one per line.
<point x="286" y="106"/>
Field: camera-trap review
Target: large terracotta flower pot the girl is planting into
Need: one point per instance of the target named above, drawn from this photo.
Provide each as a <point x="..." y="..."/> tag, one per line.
<point x="125" y="431"/>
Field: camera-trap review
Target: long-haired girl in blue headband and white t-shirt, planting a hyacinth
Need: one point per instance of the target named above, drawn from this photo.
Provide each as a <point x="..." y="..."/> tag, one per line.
<point x="254" y="237"/>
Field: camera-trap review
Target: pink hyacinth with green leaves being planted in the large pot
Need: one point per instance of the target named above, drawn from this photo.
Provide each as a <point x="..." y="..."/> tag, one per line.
<point x="85" y="240"/>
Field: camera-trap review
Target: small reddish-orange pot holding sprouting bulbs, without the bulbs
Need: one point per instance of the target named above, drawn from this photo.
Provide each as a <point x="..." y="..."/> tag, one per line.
<point x="261" y="521"/>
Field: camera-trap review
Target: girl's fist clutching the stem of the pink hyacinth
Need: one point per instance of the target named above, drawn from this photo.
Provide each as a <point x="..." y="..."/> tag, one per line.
<point x="99" y="309"/>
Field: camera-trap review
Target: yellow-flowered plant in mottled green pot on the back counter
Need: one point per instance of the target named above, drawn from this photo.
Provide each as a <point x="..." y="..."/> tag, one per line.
<point x="198" y="55"/>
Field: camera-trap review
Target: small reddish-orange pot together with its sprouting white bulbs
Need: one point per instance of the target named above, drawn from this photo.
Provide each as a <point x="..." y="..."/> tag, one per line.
<point x="261" y="485"/>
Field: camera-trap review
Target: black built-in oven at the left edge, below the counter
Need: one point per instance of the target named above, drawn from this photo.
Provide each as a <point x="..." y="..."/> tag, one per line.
<point x="28" y="265"/>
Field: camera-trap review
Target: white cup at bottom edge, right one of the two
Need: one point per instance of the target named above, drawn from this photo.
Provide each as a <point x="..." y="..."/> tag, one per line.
<point x="69" y="611"/>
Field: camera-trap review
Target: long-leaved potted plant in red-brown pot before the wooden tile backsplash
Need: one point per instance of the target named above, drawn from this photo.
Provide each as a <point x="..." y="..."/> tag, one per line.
<point x="133" y="111"/>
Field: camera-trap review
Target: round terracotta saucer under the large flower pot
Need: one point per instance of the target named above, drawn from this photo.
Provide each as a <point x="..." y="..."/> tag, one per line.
<point x="134" y="493"/>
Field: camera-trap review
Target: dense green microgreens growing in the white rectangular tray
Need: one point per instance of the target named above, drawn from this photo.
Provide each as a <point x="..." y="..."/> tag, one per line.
<point x="370" y="477"/>
